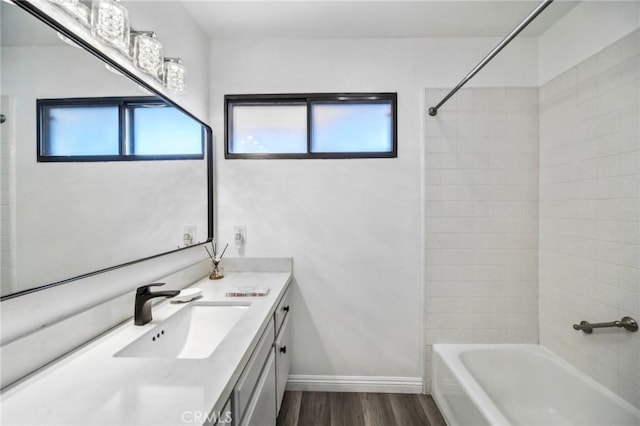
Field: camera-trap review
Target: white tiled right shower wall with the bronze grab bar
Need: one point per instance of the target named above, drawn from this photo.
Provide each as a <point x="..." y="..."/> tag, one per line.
<point x="590" y="214"/>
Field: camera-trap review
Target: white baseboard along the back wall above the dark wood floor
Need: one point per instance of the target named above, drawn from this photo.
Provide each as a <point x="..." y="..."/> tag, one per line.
<point x="379" y="384"/>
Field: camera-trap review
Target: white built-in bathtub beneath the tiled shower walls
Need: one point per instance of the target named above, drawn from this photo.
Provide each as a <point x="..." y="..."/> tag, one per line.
<point x="520" y="385"/>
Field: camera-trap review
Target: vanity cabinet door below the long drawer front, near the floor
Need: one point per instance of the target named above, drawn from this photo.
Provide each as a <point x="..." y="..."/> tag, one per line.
<point x="262" y="408"/>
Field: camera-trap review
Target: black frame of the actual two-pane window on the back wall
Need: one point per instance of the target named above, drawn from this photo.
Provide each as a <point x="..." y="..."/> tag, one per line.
<point x="309" y="99"/>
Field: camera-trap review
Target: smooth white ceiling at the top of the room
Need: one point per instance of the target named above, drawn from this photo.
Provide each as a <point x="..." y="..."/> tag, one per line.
<point x="369" y="19"/>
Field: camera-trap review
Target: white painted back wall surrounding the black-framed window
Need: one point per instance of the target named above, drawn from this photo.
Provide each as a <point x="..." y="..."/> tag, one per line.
<point x="353" y="227"/>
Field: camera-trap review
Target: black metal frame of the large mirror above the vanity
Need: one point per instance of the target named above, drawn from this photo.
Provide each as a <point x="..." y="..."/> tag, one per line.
<point x="56" y="26"/>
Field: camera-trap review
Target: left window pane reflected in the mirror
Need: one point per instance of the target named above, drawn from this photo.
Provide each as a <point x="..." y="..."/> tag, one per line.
<point x="81" y="131"/>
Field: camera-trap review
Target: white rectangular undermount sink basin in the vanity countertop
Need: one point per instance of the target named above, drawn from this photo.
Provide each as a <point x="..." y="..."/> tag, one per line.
<point x="193" y="332"/>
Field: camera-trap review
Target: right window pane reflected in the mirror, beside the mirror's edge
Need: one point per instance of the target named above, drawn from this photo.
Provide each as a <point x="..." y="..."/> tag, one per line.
<point x="163" y="130"/>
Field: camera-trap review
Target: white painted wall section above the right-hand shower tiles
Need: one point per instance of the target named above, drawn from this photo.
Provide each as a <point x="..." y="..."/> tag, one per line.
<point x="581" y="33"/>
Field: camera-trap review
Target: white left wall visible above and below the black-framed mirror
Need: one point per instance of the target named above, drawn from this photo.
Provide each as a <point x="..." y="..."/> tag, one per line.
<point x="40" y="327"/>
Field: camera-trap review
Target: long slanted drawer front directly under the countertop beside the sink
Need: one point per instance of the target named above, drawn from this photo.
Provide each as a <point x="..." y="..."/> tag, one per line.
<point x="251" y="373"/>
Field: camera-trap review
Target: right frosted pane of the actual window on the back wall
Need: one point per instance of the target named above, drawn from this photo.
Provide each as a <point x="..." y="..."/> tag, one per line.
<point x="351" y="127"/>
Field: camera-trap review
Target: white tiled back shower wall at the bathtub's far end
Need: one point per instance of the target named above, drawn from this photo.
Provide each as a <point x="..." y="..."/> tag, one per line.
<point x="481" y="225"/>
